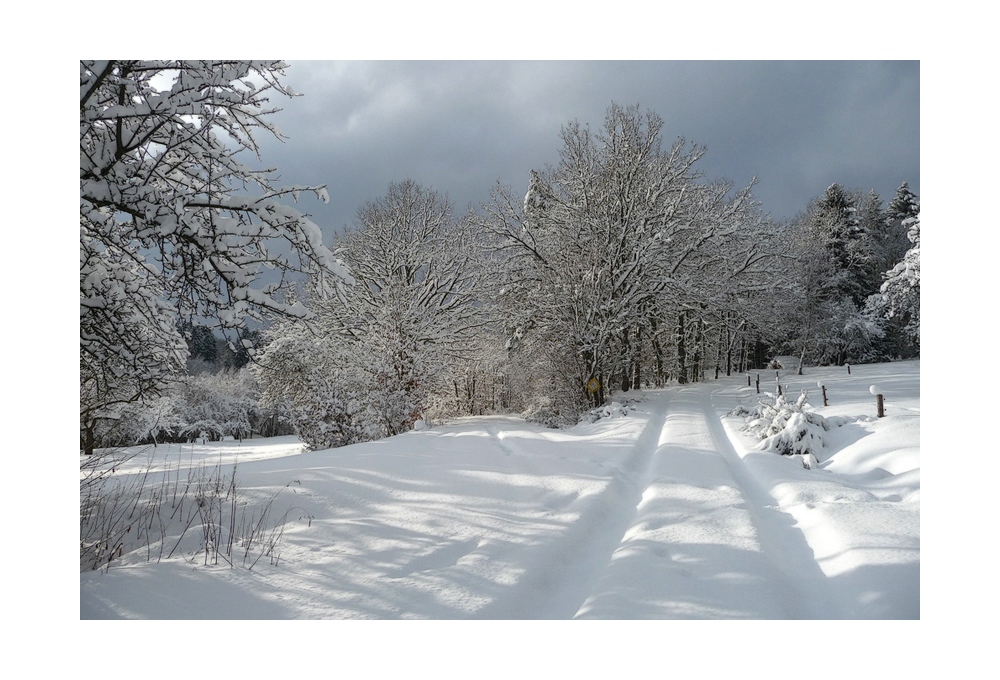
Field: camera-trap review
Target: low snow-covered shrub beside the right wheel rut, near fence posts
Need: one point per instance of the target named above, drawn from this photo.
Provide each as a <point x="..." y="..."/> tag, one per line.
<point x="787" y="428"/>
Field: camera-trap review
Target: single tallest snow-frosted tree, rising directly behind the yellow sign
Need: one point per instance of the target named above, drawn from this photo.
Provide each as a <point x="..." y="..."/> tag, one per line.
<point x="586" y="244"/>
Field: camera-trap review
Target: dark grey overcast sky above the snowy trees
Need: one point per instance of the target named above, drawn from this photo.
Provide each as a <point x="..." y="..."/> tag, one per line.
<point x="461" y="126"/>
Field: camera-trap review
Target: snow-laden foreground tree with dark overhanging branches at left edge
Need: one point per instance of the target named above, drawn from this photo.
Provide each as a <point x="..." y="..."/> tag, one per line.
<point x="172" y="224"/>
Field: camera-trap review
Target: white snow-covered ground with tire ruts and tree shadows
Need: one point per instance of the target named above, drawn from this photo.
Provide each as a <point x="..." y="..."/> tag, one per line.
<point x="667" y="512"/>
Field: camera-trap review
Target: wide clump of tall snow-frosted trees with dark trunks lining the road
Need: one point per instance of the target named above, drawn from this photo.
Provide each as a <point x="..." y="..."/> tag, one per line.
<point x="620" y="259"/>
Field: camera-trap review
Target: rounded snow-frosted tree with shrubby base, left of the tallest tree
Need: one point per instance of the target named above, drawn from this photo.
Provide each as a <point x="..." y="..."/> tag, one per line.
<point x="380" y="353"/>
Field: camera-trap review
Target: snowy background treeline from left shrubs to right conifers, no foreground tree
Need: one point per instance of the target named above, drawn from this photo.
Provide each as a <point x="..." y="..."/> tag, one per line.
<point x="619" y="269"/>
